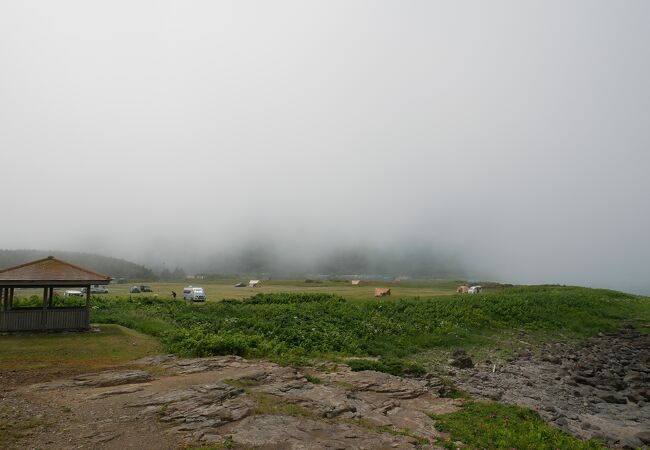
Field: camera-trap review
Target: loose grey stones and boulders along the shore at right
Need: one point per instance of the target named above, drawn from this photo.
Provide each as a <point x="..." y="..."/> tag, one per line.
<point x="600" y="389"/>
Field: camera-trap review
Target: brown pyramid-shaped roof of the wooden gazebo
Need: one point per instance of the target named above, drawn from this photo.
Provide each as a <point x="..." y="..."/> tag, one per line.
<point x="50" y="271"/>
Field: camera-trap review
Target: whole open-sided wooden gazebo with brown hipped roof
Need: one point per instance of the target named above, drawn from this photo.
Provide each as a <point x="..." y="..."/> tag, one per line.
<point x="48" y="273"/>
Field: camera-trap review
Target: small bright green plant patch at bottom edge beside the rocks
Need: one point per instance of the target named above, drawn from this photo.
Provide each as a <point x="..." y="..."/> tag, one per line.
<point x="494" y="426"/>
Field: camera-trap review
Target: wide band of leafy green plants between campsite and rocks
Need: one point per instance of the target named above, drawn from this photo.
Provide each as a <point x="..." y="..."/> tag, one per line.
<point x="297" y="326"/>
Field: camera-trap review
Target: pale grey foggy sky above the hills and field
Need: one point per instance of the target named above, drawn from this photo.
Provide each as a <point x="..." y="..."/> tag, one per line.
<point x="514" y="135"/>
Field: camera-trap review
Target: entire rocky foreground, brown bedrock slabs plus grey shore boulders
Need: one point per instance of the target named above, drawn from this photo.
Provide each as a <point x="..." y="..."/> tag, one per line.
<point x="600" y="389"/>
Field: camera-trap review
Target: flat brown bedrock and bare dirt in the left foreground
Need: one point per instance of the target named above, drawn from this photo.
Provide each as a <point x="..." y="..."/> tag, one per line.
<point x="248" y="404"/>
